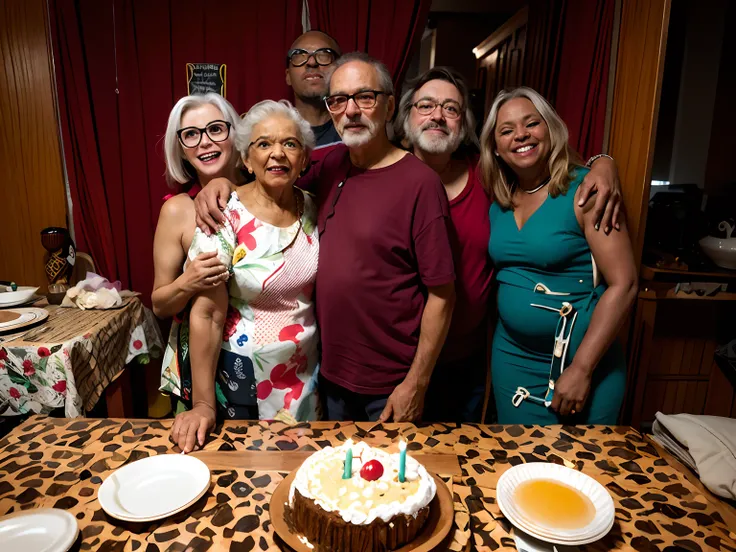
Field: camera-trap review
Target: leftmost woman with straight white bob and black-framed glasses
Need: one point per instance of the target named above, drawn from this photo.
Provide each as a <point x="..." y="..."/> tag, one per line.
<point x="198" y="147"/>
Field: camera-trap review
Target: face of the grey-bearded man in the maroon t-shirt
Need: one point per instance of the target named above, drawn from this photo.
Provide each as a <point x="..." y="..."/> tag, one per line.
<point x="358" y="127"/>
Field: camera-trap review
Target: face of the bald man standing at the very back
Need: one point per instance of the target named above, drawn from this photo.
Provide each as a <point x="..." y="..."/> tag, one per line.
<point x="310" y="80"/>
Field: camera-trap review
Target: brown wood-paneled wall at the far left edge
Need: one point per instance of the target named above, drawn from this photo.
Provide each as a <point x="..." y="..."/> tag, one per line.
<point x="32" y="193"/>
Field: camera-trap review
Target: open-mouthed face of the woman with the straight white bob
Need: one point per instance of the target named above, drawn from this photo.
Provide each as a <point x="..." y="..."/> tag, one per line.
<point x="210" y="159"/>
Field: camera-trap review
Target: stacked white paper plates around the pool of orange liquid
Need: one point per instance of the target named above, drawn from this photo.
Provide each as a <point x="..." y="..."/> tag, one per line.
<point x="594" y="530"/>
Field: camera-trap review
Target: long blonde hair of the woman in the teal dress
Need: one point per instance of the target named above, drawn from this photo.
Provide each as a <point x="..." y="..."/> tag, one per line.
<point x="498" y="178"/>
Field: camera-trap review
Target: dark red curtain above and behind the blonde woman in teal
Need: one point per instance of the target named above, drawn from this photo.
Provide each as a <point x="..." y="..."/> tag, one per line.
<point x="567" y="60"/>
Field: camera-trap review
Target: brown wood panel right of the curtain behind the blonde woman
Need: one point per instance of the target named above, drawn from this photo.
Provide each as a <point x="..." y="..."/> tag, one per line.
<point x="639" y="67"/>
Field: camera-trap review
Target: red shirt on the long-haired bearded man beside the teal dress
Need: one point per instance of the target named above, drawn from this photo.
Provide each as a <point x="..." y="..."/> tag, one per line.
<point x="469" y="234"/>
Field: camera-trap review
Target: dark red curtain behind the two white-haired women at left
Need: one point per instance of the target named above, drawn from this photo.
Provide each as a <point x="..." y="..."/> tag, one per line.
<point x="120" y="67"/>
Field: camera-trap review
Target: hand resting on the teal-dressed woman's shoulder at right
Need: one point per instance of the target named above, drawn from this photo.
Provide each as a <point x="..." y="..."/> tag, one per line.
<point x="602" y="180"/>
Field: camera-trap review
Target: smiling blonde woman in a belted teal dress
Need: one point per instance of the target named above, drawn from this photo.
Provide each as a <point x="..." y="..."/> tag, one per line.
<point x="564" y="289"/>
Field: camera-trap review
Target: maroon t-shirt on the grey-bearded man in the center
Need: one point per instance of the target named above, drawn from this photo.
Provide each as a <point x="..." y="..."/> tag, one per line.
<point x="383" y="242"/>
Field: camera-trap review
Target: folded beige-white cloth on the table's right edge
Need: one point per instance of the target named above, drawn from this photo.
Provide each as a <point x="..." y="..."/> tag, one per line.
<point x="705" y="443"/>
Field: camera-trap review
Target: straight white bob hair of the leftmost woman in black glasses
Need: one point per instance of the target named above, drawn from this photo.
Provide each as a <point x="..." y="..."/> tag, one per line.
<point x="178" y="169"/>
